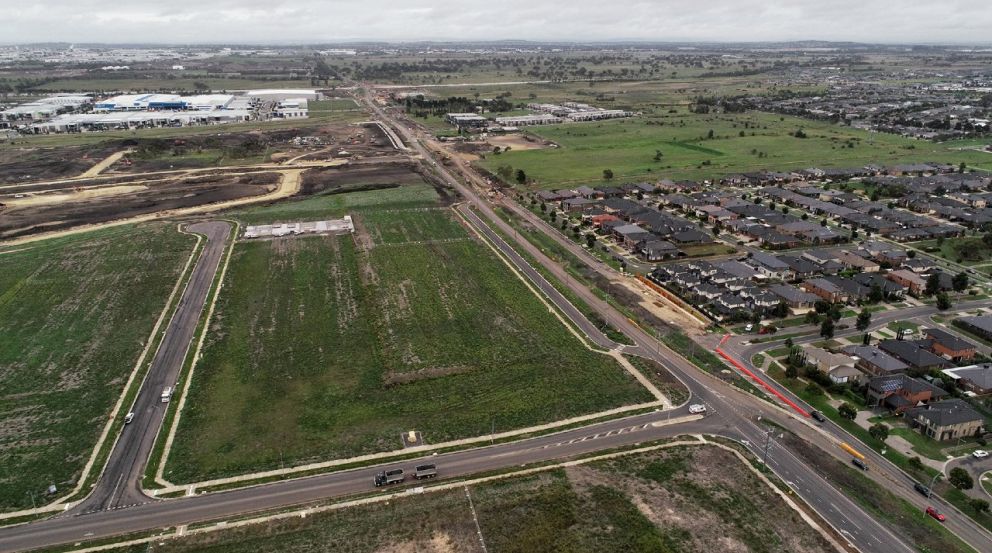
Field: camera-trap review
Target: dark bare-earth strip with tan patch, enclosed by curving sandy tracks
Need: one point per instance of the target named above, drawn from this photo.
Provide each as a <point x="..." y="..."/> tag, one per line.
<point x="68" y="208"/>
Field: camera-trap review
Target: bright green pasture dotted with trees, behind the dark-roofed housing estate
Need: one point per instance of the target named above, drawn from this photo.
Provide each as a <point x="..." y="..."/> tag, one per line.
<point x="740" y="143"/>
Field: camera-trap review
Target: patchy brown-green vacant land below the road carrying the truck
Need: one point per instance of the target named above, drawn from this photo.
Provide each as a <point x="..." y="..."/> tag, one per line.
<point x="683" y="499"/>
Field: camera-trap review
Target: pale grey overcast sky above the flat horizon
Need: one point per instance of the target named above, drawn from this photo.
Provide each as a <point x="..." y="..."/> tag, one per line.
<point x="302" y="21"/>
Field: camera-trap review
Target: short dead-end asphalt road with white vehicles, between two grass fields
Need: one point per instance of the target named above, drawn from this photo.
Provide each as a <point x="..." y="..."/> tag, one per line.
<point x="120" y="483"/>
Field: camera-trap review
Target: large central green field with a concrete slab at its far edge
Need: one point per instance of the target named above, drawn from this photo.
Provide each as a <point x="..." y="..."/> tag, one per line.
<point x="326" y="347"/>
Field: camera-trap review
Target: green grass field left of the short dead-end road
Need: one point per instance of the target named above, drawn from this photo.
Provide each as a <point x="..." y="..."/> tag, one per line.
<point x="74" y="315"/>
